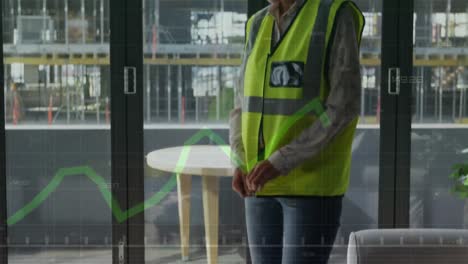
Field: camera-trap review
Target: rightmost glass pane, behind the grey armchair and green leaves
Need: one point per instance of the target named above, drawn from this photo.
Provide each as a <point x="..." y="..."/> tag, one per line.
<point x="439" y="140"/>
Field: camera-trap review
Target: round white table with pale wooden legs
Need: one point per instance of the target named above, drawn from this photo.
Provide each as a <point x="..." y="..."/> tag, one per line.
<point x="209" y="162"/>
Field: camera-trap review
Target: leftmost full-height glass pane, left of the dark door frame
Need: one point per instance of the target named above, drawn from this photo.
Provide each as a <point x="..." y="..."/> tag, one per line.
<point x="56" y="86"/>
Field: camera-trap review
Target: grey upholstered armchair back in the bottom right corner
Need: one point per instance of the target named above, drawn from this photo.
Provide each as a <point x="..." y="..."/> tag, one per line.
<point x="408" y="246"/>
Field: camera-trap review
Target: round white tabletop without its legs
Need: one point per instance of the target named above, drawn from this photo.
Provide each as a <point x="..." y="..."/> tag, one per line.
<point x="203" y="160"/>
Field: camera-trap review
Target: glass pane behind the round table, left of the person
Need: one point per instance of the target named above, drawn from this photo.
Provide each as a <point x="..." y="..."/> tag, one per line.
<point x="191" y="57"/>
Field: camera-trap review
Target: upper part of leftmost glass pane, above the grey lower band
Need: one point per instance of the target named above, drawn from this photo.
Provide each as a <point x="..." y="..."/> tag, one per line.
<point x="56" y="62"/>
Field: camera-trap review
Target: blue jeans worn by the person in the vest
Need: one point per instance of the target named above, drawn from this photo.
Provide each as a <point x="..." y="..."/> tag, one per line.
<point x="292" y="230"/>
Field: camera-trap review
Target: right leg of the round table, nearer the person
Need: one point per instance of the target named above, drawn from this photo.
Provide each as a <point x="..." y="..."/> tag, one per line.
<point x="210" y="187"/>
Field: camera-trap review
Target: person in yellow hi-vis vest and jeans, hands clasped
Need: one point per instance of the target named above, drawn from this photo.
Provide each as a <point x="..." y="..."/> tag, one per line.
<point x="296" y="109"/>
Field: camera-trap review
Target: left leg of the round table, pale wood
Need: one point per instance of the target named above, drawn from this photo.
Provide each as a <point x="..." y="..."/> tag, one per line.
<point x="184" y="187"/>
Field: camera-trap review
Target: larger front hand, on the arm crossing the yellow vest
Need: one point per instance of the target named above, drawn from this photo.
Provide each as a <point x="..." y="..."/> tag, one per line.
<point x="261" y="174"/>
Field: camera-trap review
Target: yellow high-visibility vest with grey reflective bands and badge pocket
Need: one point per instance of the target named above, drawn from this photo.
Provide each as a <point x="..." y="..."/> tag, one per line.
<point x="285" y="87"/>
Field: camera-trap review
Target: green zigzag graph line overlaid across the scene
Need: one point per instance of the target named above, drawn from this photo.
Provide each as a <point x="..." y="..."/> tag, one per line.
<point x="122" y="216"/>
